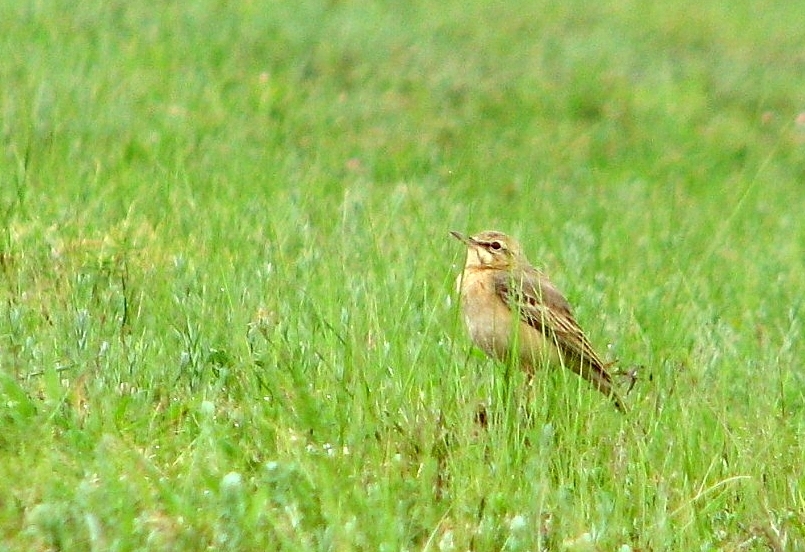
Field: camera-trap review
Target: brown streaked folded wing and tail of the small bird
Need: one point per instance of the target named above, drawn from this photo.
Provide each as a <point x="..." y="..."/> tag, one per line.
<point x="545" y="309"/>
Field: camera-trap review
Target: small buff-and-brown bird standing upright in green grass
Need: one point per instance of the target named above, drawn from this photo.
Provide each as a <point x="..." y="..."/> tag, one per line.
<point x="509" y="306"/>
